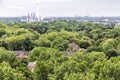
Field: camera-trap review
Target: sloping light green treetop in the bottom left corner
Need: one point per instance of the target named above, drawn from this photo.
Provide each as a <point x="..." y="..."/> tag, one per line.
<point x="8" y="73"/>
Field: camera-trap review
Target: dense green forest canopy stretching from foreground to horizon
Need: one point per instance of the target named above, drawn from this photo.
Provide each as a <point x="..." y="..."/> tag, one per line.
<point x="61" y="50"/>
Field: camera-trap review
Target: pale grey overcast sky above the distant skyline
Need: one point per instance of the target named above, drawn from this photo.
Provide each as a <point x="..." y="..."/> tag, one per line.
<point x="61" y="7"/>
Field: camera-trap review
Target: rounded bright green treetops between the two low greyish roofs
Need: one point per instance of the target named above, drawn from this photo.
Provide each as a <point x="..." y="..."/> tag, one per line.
<point x="41" y="53"/>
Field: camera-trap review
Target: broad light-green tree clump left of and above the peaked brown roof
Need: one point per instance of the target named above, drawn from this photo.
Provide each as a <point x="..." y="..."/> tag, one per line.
<point x="57" y="40"/>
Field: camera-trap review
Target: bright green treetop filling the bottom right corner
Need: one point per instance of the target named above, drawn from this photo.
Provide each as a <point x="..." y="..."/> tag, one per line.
<point x="107" y="70"/>
